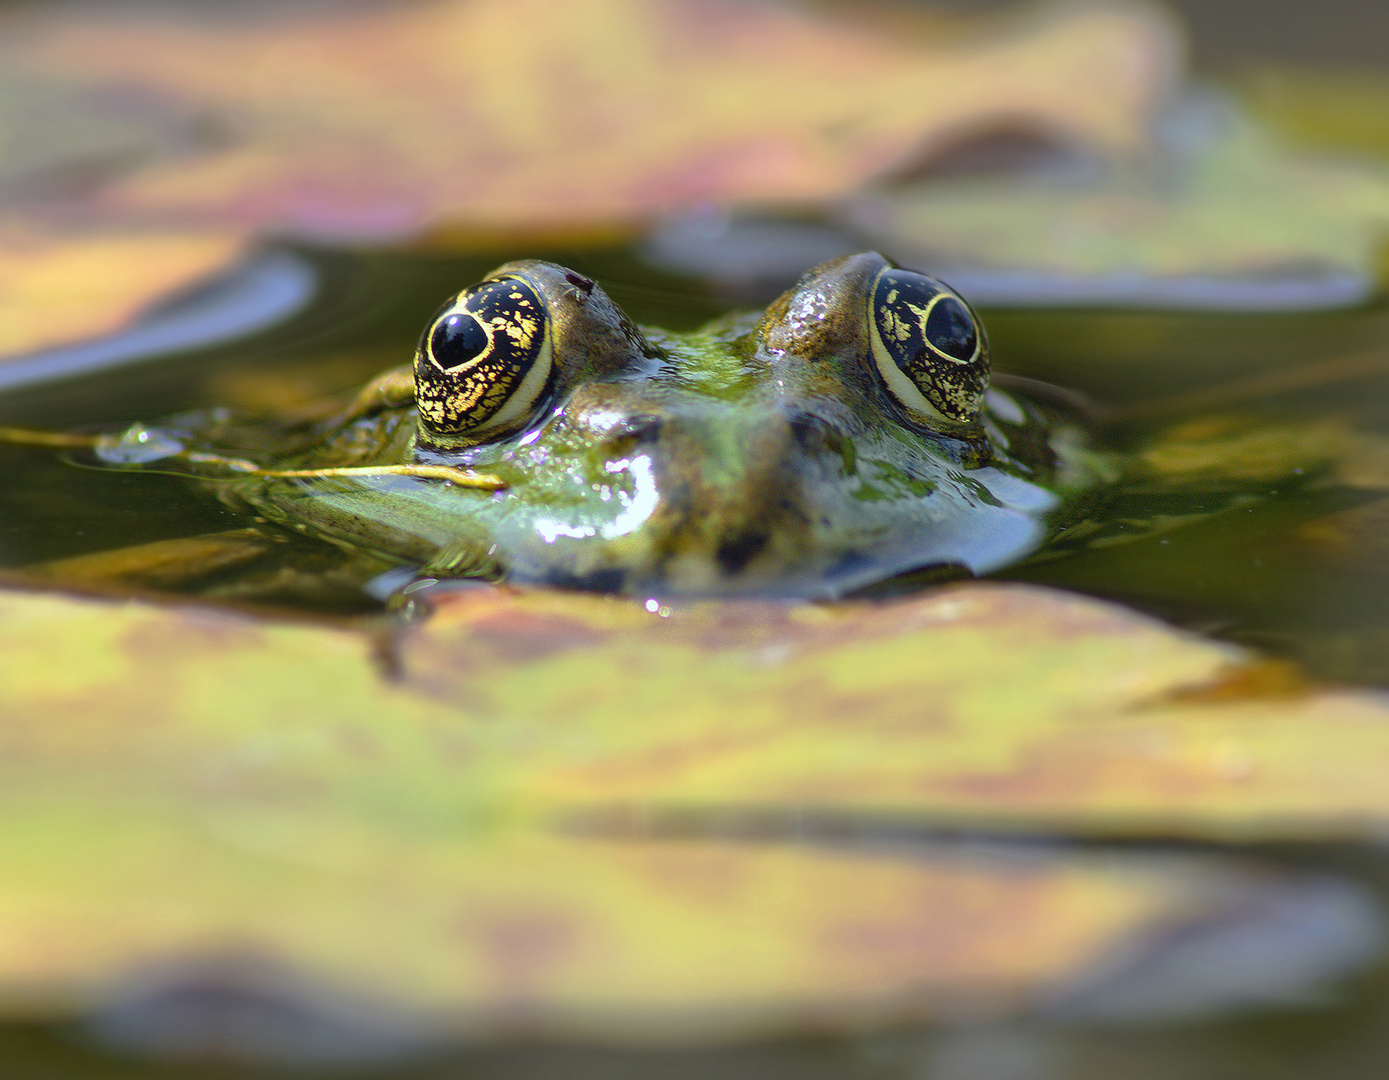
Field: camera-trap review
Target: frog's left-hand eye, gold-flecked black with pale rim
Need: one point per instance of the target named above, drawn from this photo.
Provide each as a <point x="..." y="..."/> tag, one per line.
<point x="484" y="363"/>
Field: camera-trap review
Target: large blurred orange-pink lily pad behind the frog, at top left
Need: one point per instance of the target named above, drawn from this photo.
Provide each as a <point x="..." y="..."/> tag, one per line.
<point x="163" y="140"/>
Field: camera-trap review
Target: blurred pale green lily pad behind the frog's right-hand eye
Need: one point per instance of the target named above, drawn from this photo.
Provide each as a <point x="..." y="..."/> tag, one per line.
<point x="1224" y="216"/>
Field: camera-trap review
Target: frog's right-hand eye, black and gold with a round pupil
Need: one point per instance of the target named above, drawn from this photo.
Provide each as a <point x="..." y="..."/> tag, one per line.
<point x="929" y="346"/>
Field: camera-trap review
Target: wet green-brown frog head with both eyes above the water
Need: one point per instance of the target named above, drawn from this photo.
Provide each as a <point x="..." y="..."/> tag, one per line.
<point x="844" y="437"/>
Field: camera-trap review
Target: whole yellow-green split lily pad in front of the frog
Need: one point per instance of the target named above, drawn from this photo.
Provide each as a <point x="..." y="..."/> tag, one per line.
<point x="206" y="793"/>
